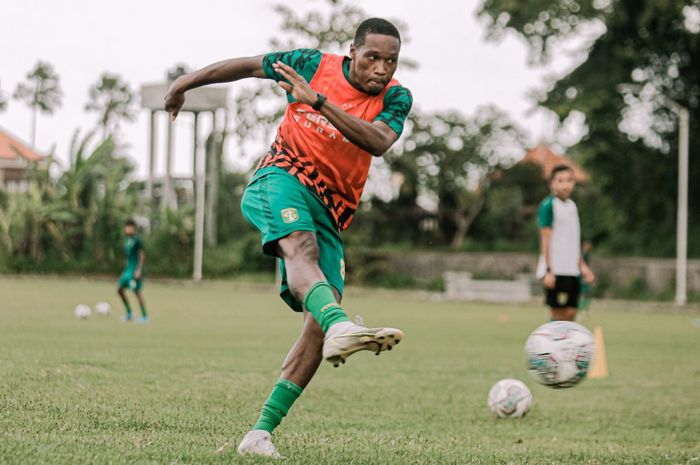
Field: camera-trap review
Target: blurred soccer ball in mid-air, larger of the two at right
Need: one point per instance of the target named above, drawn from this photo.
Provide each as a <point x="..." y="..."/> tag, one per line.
<point x="559" y="353"/>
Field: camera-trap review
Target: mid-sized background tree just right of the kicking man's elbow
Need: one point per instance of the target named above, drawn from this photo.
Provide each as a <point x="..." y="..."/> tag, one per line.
<point x="450" y="159"/>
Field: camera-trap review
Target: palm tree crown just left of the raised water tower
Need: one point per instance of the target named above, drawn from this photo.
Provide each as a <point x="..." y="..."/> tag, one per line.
<point x="112" y="99"/>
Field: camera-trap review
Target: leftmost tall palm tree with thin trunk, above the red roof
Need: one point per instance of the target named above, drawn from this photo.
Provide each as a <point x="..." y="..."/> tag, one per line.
<point x="41" y="92"/>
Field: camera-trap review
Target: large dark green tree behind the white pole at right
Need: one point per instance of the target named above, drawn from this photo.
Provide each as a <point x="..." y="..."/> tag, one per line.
<point x="654" y="44"/>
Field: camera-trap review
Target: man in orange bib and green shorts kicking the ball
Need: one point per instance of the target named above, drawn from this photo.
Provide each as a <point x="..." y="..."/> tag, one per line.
<point x="341" y="112"/>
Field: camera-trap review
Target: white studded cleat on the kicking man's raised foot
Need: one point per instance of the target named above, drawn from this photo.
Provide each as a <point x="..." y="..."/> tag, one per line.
<point x="349" y="338"/>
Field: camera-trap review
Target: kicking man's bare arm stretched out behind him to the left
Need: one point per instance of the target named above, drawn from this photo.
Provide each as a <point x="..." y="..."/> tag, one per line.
<point x="222" y="71"/>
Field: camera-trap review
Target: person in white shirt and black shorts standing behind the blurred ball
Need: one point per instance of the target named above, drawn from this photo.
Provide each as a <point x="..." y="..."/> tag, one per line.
<point x="561" y="264"/>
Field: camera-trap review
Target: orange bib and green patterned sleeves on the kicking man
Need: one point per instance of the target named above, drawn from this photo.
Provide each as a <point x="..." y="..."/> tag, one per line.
<point x="311" y="149"/>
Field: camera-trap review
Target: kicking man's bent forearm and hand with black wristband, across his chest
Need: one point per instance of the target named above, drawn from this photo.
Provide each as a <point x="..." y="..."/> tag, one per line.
<point x="373" y="137"/>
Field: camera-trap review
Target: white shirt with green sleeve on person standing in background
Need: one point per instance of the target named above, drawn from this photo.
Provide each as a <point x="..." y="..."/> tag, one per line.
<point x="565" y="242"/>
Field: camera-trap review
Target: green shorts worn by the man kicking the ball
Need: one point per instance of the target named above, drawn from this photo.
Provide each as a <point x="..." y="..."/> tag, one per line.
<point x="277" y="204"/>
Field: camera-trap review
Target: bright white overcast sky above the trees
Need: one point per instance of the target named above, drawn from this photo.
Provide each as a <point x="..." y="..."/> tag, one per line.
<point x="140" y="40"/>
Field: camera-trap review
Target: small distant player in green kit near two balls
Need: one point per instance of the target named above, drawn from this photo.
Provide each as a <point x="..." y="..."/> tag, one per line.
<point x="132" y="277"/>
